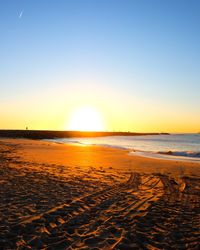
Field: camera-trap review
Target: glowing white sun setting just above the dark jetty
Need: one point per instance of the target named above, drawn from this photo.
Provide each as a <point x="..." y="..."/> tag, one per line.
<point x="86" y="119"/>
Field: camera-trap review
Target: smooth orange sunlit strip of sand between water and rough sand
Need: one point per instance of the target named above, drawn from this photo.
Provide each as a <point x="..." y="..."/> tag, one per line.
<point x="88" y="155"/>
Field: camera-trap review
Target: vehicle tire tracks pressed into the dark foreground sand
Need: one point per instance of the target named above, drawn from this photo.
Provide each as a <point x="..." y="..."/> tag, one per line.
<point x="98" y="219"/>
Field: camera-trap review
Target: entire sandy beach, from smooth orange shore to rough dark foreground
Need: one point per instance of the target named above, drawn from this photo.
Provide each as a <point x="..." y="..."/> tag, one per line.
<point x="56" y="196"/>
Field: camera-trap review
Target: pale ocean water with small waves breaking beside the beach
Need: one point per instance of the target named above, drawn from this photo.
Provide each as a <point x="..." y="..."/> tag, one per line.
<point x="172" y="147"/>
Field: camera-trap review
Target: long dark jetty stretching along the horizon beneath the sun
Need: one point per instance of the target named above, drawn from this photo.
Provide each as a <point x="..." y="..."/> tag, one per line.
<point x="50" y="134"/>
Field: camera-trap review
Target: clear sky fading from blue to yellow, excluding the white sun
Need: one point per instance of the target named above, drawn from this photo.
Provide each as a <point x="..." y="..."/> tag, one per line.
<point x="136" y="61"/>
